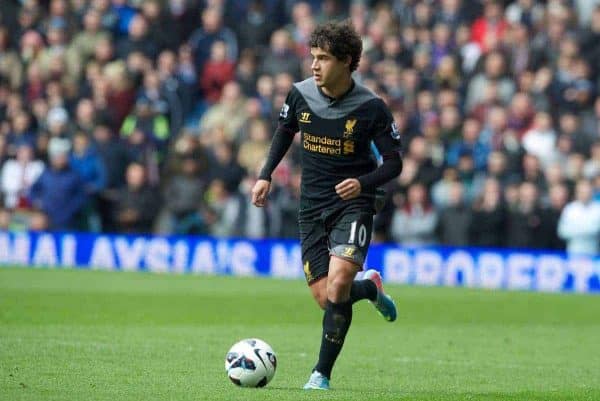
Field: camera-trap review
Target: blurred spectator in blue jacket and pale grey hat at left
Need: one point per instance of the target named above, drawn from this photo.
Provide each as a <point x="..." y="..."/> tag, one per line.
<point x="59" y="191"/>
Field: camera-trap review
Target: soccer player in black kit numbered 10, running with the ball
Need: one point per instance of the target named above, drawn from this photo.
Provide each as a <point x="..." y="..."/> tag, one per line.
<point x="338" y="120"/>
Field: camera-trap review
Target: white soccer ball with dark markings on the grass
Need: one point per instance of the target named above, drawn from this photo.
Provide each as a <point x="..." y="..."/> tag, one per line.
<point x="250" y="363"/>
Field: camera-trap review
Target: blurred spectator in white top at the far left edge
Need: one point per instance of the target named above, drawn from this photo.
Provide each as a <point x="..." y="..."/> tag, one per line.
<point x="17" y="176"/>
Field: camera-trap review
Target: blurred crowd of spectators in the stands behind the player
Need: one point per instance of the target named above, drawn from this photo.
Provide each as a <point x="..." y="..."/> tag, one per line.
<point x="136" y="116"/>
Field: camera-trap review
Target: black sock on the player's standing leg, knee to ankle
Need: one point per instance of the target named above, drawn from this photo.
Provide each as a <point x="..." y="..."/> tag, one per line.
<point x="336" y="322"/>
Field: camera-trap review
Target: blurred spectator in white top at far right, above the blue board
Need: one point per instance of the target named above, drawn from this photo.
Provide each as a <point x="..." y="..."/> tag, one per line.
<point x="579" y="223"/>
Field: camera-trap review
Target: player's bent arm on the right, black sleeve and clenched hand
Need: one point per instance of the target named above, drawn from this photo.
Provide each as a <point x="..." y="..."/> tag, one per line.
<point x="387" y="140"/>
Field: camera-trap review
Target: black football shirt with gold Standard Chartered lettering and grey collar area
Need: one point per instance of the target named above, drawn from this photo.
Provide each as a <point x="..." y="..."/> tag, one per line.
<point x="336" y="136"/>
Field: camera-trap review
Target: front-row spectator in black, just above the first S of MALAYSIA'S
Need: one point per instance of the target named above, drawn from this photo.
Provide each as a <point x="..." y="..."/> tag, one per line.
<point x="137" y="203"/>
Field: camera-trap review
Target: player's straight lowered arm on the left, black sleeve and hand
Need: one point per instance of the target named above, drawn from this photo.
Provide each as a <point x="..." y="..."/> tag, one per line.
<point x="282" y="140"/>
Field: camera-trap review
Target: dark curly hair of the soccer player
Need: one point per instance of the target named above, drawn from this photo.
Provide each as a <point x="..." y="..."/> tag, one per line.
<point x="340" y="39"/>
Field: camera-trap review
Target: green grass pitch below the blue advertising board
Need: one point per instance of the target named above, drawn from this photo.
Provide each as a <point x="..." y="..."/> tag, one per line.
<point x="90" y="335"/>
